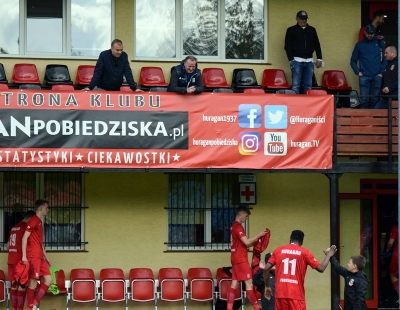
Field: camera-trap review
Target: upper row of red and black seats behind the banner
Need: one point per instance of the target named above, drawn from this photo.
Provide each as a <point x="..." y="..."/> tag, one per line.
<point x="153" y="77"/>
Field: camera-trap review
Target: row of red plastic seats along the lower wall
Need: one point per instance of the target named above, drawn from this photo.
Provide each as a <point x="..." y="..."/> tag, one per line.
<point x="83" y="287"/>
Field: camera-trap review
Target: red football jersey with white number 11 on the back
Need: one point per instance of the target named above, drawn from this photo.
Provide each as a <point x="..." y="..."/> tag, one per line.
<point x="291" y="263"/>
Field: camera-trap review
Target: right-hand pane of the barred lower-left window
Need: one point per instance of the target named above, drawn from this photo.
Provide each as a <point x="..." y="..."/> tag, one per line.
<point x="63" y="222"/>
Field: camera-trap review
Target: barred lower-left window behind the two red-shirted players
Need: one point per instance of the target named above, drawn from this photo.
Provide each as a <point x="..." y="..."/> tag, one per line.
<point x="63" y="225"/>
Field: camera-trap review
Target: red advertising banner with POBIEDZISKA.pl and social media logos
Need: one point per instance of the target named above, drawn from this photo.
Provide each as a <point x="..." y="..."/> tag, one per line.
<point x="93" y="129"/>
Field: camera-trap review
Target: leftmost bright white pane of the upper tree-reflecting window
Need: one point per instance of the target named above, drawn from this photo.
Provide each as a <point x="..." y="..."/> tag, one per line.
<point x="155" y="28"/>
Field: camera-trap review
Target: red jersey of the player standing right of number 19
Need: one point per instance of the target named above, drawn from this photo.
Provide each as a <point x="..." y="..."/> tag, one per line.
<point x="34" y="247"/>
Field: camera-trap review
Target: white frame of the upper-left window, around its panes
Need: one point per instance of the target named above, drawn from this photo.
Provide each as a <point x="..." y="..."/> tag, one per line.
<point x="66" y="22"/>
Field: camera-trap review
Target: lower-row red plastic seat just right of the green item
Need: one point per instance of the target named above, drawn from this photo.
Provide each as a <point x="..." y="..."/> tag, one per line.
<point x="83" y="285"/>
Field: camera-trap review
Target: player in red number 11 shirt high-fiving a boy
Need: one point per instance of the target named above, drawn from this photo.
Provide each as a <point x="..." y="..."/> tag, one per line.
<point x="291" y="263"/>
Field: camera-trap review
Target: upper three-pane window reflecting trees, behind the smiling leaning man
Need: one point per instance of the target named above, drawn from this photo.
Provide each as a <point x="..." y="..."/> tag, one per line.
<point x="210" y="29"/>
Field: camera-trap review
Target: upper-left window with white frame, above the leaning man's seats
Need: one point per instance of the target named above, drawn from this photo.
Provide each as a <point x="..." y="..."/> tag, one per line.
<point x="55" y="27"/>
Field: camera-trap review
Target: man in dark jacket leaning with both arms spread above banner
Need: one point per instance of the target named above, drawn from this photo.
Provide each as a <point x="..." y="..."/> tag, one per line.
<point x="110" y="69"/>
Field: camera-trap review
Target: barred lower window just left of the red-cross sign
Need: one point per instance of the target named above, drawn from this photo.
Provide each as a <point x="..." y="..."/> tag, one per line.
<point x="201" y="209"/>
